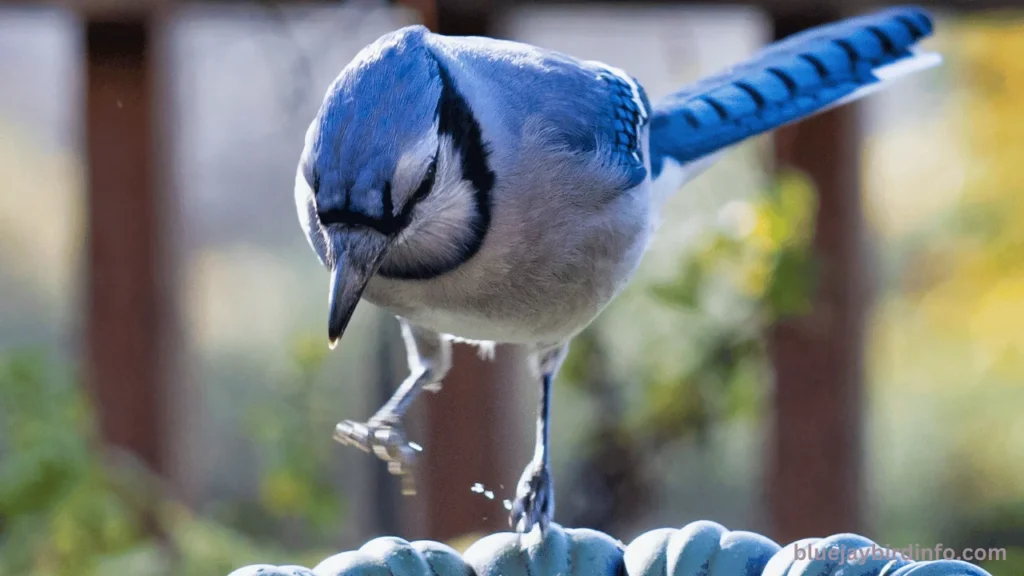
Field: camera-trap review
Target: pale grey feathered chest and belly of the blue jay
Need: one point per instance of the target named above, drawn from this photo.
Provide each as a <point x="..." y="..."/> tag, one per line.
<point x="548" y="264"/>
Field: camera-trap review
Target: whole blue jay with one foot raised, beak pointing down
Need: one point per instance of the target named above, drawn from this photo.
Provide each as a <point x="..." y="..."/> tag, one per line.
<point x="489" y="191"/>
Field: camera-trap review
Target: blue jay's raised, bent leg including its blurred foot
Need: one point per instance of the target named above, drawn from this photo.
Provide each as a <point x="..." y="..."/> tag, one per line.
<point x="430" y="360"/>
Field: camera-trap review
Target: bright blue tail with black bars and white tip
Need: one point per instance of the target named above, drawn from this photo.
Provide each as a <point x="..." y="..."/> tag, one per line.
<point x="790" y="80"/>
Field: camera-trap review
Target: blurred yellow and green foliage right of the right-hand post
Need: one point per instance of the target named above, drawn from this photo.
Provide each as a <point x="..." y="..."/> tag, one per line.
<point x="947" y="343"/>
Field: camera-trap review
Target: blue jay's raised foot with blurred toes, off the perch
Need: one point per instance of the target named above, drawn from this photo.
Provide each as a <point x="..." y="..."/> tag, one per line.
<point x="387" y="439"/>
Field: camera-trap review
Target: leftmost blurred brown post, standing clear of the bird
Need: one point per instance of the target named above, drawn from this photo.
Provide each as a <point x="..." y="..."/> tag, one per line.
<point x="124" y="322"/>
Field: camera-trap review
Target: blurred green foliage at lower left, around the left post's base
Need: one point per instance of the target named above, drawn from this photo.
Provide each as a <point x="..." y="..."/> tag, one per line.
<point x="69" y="506"/>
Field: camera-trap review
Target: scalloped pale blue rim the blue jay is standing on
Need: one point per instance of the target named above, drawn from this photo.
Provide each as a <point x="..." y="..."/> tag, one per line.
<point x="700" y="549"/>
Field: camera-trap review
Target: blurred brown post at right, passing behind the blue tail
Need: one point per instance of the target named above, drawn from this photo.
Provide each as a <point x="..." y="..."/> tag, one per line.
<point x="816" y="472"/>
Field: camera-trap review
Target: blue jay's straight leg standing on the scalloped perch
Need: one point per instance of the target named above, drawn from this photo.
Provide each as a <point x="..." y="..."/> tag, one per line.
<point x="535" y="502"/>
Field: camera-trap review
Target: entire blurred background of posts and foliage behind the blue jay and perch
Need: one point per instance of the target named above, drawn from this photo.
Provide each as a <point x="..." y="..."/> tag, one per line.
<point x="825" y="338"/>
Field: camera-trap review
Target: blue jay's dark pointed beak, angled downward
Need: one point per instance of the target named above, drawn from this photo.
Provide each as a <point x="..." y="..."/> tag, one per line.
<point x="357" y="257"/>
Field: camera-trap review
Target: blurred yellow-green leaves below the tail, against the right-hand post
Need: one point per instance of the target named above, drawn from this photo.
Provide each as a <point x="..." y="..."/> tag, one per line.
<point x="758" y="257"/>
